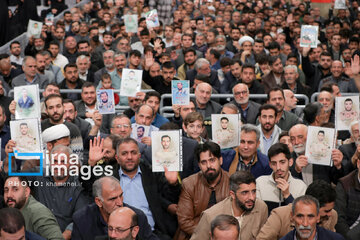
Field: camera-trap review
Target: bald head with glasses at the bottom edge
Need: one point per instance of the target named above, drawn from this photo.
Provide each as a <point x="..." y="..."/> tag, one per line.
<point x="125" y="219"/>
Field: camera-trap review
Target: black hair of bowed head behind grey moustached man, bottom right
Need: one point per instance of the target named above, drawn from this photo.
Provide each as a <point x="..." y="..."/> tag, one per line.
<point x="322" y="191"/>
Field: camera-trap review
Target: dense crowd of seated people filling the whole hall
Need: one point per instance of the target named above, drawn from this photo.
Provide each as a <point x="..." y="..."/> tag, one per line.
<point x="264" y="188"/>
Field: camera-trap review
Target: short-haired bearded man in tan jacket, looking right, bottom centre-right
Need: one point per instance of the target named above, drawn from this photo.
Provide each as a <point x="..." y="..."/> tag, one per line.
<point x="241" y="203"/>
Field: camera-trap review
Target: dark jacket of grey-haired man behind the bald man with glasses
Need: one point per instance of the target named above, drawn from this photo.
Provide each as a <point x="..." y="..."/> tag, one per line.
<point x="88" y="223"/>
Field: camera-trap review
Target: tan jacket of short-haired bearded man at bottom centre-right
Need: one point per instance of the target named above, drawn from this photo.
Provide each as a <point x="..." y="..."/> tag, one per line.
<point x="251" y="223"/>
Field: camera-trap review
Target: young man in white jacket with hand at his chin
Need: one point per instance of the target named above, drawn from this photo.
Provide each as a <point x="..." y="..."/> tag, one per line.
<point x="279" y="188"/>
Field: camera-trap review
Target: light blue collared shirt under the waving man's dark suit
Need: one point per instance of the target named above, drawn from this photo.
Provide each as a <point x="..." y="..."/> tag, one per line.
<point x="134" y="194"/>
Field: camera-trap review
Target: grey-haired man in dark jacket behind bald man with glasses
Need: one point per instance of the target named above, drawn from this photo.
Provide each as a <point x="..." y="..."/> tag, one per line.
<point x="92" y="220"/>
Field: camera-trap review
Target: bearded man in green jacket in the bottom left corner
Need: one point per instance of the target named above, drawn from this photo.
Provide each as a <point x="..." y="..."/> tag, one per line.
<point x="38" y="218"/>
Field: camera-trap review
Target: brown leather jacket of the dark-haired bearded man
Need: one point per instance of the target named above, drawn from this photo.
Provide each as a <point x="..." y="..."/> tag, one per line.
<point x="194" y="199"/>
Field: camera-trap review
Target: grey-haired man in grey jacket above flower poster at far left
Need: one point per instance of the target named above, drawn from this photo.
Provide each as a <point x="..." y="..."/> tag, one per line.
<point x="29" y="77"/>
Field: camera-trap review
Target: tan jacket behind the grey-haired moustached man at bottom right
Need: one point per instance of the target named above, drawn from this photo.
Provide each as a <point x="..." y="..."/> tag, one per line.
<point x="279" y="223"/>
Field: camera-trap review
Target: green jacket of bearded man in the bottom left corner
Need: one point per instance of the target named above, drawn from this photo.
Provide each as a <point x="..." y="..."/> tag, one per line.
<point x="39" y="219"/>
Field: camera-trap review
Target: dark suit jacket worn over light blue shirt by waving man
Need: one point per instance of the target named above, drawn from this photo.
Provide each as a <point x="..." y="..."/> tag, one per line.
<point x="159" y="195"/>
